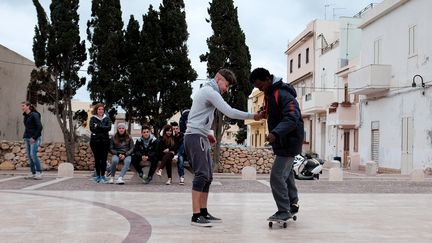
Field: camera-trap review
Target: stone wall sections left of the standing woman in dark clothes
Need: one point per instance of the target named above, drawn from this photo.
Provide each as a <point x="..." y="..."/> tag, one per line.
<point x="13" y="156"/>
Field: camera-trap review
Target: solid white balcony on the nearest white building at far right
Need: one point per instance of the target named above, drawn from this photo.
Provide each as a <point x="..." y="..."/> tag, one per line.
<point x="371" y="79"/>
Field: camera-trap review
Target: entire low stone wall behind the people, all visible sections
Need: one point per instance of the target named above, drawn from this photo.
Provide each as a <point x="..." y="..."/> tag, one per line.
<point x="233" y="159"/>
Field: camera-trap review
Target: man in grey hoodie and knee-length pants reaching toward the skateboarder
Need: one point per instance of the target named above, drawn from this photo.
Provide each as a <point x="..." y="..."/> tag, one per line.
<point x="197" y="140"/>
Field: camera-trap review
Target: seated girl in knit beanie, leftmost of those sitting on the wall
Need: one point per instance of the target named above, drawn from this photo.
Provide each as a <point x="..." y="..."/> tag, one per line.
<point x="121" y="148"/>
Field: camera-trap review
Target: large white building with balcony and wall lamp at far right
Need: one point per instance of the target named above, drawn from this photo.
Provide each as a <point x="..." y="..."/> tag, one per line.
<point x="394" y="117"/>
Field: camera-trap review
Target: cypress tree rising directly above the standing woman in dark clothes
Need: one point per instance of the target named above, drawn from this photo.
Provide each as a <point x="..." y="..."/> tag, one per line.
<point x="105" y="34"/>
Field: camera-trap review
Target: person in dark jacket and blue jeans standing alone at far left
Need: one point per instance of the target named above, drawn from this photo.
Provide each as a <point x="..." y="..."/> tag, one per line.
<point x="32" y="138"/>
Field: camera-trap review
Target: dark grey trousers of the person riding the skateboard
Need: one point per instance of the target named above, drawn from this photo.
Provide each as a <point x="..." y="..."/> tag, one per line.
<point x="282" y="183"/>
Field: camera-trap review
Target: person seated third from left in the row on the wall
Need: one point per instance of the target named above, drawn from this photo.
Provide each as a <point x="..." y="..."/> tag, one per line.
<point x="166" y="150"/>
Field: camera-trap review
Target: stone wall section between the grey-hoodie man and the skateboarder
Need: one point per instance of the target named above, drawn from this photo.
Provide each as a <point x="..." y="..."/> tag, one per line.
<point x="233" y="160"/>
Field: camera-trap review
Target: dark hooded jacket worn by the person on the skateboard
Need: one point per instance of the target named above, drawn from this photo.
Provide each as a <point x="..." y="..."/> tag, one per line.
<point x="284" y="119"/>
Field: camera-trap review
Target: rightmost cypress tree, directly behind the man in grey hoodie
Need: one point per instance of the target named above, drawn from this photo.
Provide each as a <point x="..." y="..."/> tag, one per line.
<point x="228" y="49"/>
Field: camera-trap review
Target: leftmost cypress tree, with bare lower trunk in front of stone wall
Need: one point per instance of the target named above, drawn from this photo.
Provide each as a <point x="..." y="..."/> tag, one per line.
<point x="59" y="54"/>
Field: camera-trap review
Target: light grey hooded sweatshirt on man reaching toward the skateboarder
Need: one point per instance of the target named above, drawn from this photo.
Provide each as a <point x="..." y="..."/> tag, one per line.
<point x="205" y="102"/>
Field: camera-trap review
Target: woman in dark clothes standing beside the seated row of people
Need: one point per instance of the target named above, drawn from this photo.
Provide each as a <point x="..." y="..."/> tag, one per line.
<point x="100" y="125"/>
